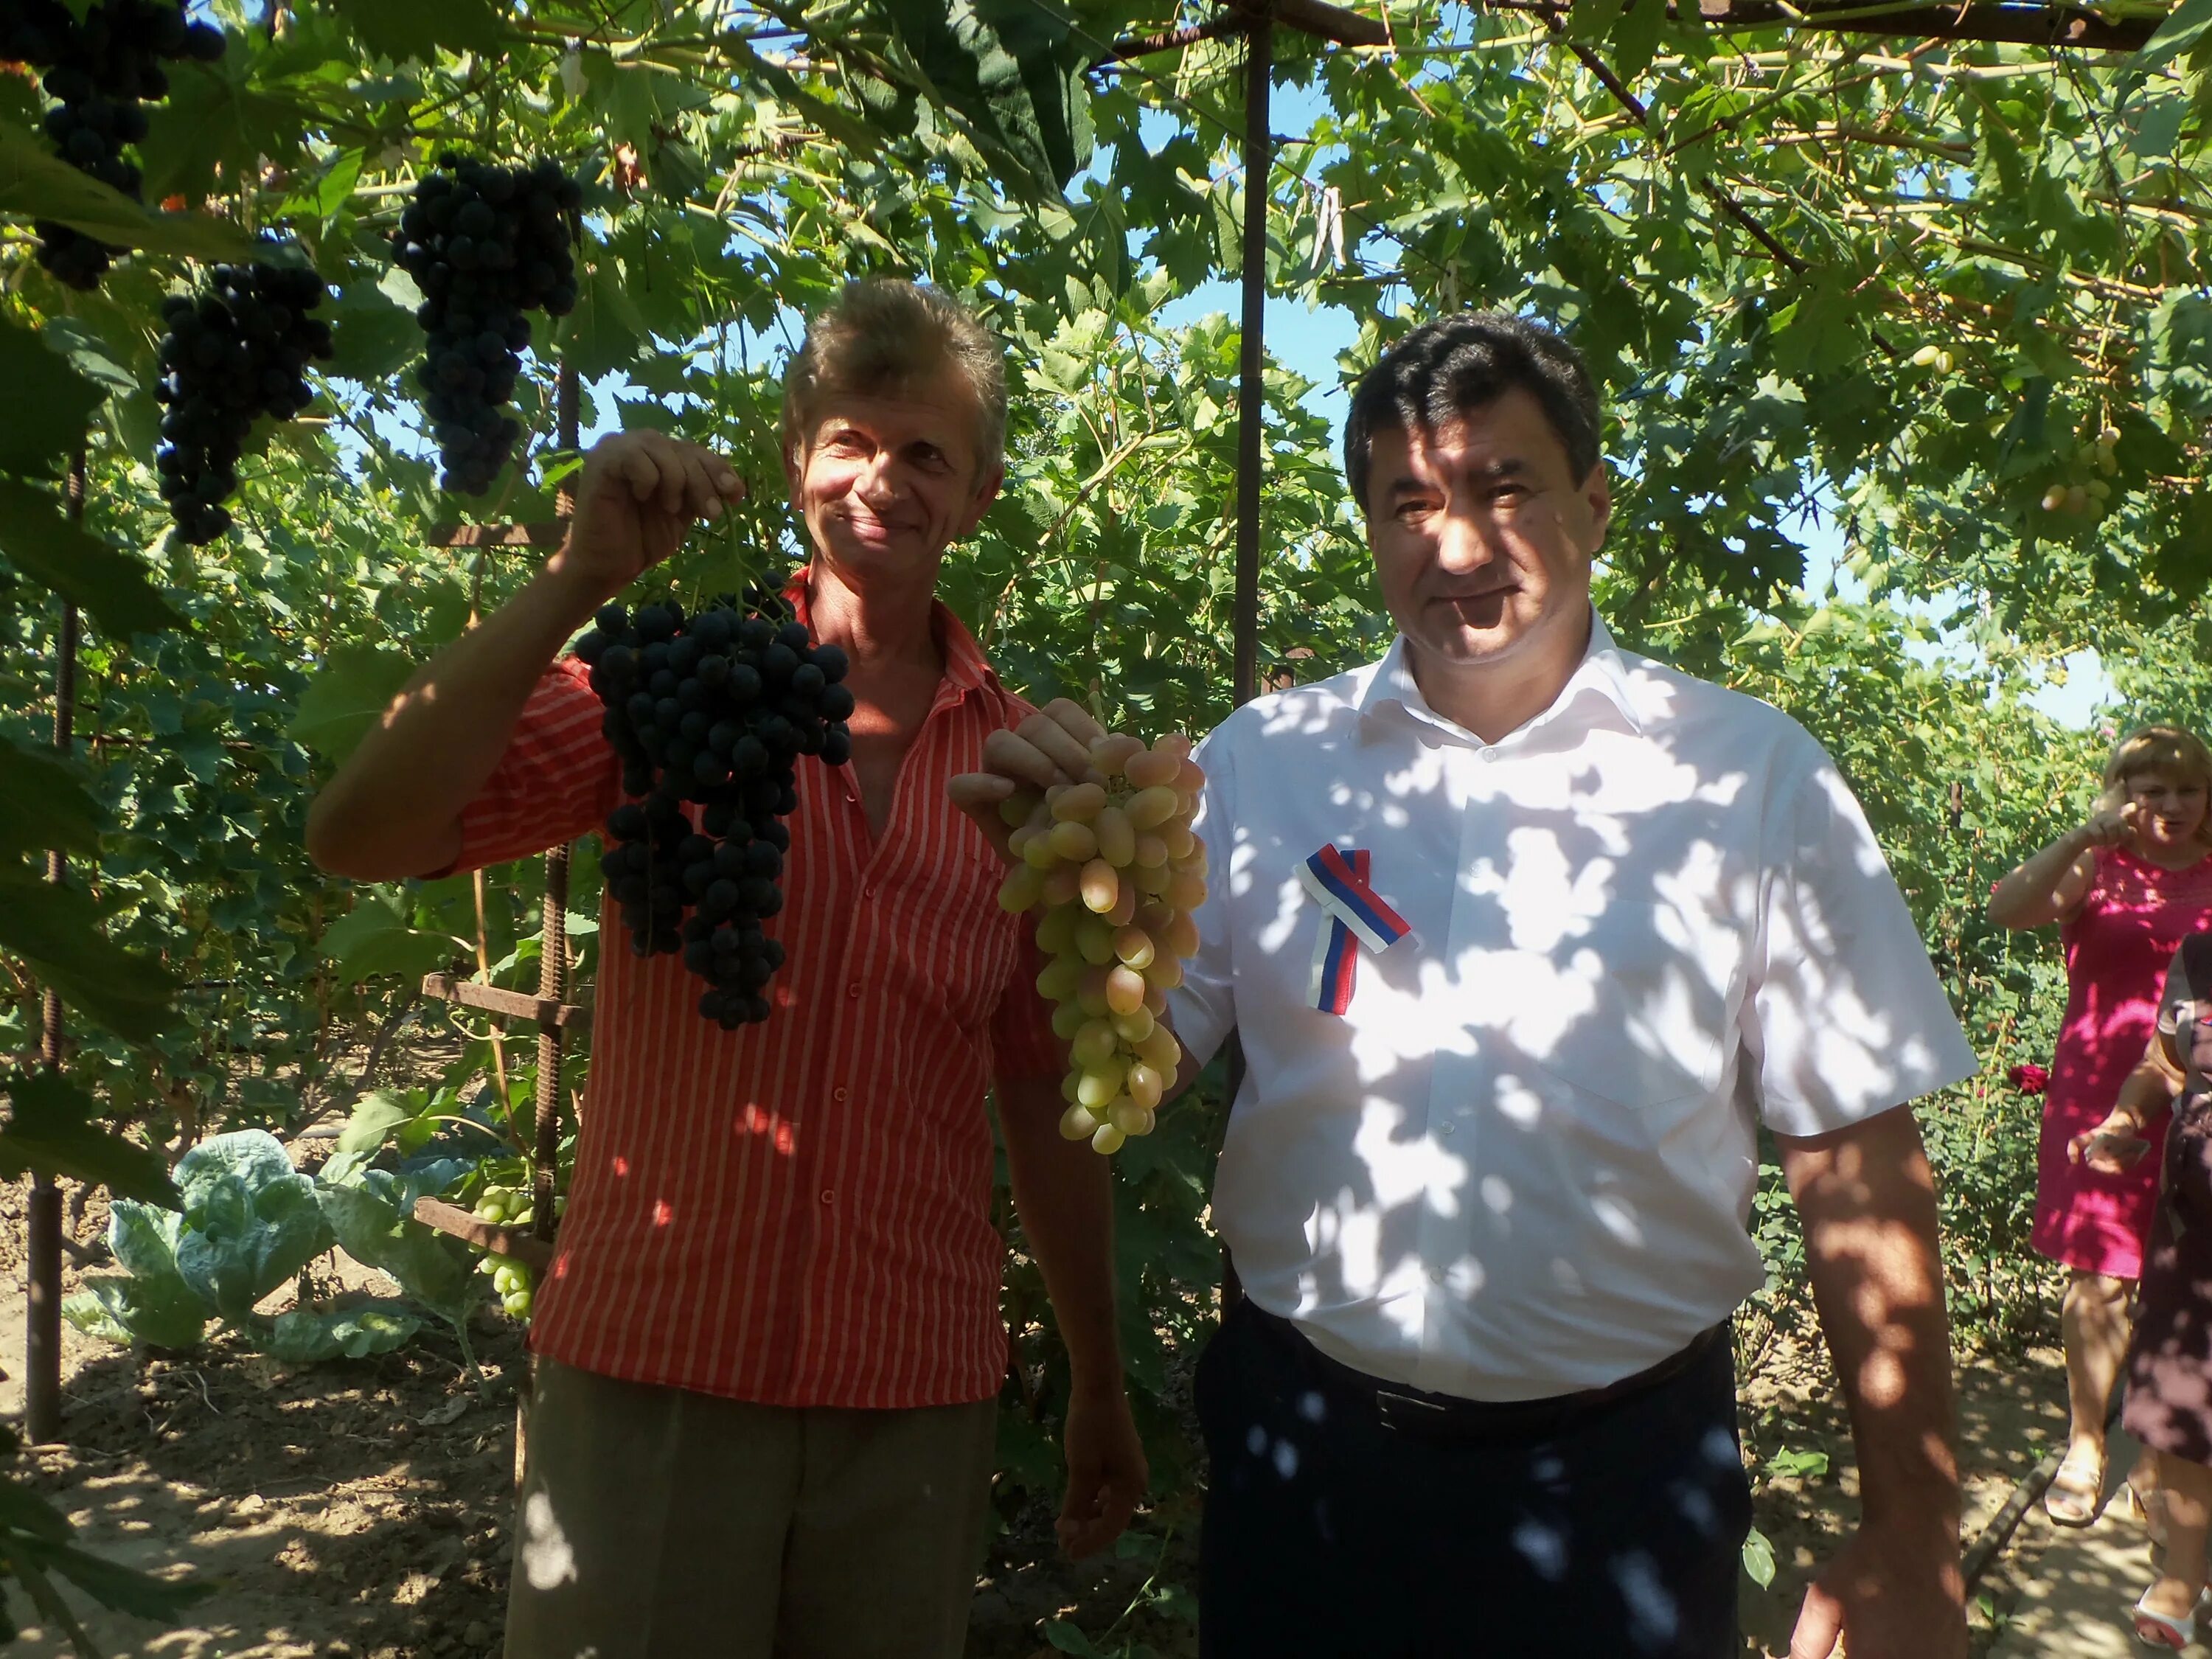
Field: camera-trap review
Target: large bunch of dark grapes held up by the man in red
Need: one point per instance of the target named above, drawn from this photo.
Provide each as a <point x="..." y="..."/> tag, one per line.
<point x="711" y="716"/>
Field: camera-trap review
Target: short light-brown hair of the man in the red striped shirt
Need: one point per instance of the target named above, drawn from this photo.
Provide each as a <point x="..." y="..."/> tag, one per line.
<point x="886" y="337"/>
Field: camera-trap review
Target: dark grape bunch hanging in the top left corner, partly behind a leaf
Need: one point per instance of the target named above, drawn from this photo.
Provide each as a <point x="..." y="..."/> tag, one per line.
<point x="98" y="72"/>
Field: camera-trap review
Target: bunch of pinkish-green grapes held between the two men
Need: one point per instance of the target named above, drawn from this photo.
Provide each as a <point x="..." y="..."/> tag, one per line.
<point x="1116" y="875"/>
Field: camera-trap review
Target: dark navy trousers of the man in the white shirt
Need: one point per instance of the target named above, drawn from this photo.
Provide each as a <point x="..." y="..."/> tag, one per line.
<point x="1335" y="1536"/>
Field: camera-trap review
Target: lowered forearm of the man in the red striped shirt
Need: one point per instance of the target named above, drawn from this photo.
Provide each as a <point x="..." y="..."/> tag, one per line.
<point x="1065" y="1198"/>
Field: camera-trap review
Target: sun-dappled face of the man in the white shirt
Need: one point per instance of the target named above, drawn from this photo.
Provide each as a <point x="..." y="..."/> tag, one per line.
<point x="1481" y="532"/>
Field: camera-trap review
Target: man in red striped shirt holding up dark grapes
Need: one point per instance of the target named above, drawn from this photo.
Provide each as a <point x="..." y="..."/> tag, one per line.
<point x="769" y="1348"/>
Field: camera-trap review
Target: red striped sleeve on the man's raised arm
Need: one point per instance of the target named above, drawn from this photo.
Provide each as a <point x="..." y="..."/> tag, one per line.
<point x="556" y="782"/>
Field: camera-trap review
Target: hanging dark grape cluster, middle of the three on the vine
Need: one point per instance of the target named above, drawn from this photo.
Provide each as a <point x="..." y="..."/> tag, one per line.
<point x="229" y="357"/>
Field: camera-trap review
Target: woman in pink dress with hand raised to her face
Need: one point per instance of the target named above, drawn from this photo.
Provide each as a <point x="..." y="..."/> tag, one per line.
<point x="2127" y="888"/>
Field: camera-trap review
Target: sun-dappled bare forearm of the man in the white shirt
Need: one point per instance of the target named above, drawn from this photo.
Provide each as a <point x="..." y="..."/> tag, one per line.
<point x="1868" y="1202"/>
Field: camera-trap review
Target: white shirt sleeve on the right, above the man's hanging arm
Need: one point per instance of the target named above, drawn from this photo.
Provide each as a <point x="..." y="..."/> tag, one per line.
<point x="1846" y="1016"/>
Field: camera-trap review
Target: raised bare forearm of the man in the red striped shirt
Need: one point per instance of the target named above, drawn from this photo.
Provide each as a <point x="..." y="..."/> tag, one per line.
<point x="395" y="806"/>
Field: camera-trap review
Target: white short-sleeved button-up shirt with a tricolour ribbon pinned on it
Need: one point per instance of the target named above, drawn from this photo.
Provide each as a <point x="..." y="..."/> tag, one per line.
<point x="1523" y="1160"/>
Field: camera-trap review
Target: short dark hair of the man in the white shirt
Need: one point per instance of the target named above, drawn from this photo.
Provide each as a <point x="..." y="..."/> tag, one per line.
<point x="1459" y="364"/>
